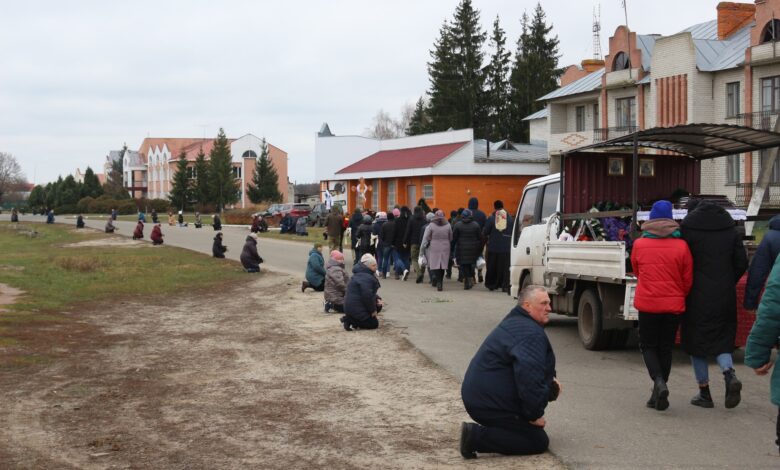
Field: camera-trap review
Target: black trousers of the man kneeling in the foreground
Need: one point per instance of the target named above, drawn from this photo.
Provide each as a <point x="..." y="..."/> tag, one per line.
<point x="510" y="435"/>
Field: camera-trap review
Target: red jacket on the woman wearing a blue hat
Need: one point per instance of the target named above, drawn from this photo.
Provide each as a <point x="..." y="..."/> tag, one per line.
<point x="664" y="271"/>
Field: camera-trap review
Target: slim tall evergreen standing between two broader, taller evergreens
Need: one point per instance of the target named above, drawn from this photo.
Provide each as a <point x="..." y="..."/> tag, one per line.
<point x="497" y="86"/>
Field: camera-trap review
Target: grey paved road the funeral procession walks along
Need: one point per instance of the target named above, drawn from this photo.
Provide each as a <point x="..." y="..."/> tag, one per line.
<point x="600" y="420"/>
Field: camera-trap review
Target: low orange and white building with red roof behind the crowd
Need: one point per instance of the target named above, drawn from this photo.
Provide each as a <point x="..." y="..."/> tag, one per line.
<point x="446" y="168"/>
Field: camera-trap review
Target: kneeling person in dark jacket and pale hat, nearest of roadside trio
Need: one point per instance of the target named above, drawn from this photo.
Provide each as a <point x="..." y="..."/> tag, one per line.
<point x="361" y="302"/>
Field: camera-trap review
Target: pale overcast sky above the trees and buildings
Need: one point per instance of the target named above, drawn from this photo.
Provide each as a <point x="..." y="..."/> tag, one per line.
<point x="80" y="78"/>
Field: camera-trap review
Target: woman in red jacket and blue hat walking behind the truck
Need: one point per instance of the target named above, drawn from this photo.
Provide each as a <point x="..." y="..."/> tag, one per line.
<point x="663" y="266"/>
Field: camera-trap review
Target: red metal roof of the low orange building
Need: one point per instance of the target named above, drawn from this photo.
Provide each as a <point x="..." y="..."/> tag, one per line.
<point x="401" y="159"/>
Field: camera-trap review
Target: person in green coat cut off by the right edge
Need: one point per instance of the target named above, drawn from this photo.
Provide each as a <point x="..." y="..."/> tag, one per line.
<point x="764" y="336"/>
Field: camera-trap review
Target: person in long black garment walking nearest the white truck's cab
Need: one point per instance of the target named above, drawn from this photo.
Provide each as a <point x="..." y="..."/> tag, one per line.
<point x="498" y="233"/>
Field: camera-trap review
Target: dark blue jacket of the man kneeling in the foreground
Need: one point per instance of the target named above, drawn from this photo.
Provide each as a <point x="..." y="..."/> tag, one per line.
<point x="512" y="372"/>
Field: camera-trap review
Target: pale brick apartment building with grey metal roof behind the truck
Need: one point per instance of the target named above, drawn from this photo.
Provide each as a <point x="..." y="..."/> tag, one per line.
<point x="724" y="71"/>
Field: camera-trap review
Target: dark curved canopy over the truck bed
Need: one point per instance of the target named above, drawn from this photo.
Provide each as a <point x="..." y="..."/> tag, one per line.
<point x="698" y="141"/>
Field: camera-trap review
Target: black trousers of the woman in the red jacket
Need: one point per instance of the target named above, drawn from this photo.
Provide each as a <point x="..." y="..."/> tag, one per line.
<point x="656" y="340"/>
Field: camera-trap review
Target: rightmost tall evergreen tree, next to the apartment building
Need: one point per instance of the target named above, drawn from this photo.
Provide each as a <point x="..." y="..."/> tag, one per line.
<point x="535" y="72"/>
